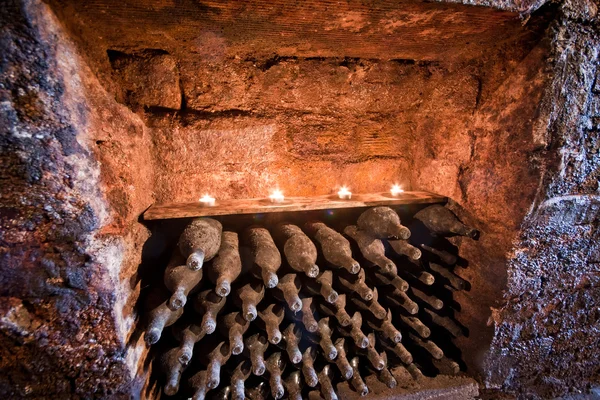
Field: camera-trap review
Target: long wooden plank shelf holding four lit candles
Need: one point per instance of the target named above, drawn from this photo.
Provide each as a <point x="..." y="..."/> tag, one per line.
<point x="259" y="206"/>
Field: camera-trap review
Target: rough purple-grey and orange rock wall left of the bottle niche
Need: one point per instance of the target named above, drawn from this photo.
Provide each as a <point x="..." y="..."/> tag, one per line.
<point x="68" y="231"/>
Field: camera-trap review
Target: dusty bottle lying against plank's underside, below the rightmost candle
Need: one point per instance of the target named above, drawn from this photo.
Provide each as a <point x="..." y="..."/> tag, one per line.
<point x="383" y="223"/>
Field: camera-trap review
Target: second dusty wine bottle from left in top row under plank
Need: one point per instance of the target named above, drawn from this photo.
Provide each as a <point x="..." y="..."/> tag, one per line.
<point x="227" y="264"/>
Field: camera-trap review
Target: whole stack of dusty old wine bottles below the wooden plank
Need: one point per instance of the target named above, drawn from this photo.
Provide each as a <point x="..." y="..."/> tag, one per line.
<point x="283" y="311"/>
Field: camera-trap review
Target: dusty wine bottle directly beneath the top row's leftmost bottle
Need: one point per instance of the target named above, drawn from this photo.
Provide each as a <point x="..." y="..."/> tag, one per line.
<point x="180" y="280"/>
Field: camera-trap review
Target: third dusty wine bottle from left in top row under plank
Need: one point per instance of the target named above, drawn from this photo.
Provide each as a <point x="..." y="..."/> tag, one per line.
<point x="265" y="254"/>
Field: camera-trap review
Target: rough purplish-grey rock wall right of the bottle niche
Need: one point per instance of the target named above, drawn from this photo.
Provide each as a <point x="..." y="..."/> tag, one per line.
<point x="547" y="333"/>
